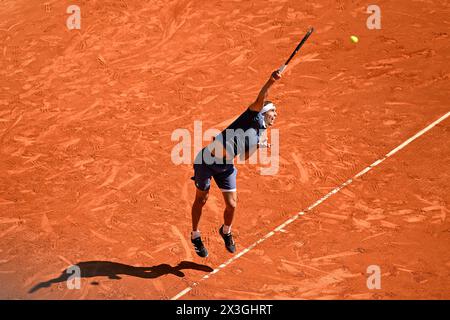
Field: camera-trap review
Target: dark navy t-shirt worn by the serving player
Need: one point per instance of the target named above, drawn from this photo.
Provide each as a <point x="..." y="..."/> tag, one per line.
<point x="243" y="134"/>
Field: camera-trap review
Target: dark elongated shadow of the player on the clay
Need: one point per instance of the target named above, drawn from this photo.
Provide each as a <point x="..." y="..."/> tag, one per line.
<point x="114" y="270"/>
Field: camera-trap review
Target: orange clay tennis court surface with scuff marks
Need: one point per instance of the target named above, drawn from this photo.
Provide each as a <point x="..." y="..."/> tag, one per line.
<point x="86" y="178"/>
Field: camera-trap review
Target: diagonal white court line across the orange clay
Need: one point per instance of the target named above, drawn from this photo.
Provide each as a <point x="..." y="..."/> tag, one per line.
<point x="315" y="204"/>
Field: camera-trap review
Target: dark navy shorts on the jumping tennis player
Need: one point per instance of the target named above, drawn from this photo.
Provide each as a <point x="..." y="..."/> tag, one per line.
<point x="224" y="175"/>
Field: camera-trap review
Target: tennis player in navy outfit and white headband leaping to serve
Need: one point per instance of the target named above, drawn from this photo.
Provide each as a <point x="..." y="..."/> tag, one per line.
<point x="242" y="137"/>
